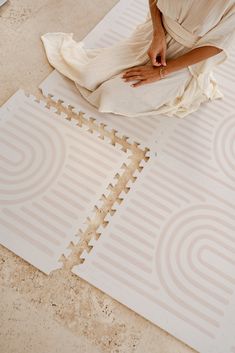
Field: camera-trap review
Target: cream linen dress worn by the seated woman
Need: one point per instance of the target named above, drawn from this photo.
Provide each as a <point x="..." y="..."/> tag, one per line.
<point x="188" y="24"/>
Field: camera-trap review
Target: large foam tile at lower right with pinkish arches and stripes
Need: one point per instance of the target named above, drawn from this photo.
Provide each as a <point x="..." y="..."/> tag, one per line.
<point x="169" y="251"/>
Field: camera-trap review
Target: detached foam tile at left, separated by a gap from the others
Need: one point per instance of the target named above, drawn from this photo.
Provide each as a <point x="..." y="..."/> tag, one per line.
<point x="52" y="173"/>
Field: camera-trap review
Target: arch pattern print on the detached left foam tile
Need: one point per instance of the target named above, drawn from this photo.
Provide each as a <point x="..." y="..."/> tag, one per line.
<point x="42" y="150"/>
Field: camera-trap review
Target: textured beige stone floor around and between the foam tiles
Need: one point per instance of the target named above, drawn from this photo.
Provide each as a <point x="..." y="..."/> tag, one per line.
<point x="60" y="312"/>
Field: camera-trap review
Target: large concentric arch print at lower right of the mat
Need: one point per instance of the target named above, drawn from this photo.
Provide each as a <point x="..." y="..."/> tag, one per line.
<point x="185" y="243"/>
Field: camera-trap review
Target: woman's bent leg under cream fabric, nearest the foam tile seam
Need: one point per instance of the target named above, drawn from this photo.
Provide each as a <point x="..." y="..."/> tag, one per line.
<point x="117" y="96"/>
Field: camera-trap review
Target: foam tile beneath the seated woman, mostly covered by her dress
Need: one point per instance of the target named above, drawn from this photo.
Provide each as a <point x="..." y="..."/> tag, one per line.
<point x="117" y="24"/>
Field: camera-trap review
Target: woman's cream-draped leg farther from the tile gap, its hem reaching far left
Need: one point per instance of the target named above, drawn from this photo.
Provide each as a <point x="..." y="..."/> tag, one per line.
<point x="91" y="67"/>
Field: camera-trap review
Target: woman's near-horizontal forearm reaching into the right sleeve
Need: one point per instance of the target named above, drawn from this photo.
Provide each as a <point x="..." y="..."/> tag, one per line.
<point x="192" y="57"/>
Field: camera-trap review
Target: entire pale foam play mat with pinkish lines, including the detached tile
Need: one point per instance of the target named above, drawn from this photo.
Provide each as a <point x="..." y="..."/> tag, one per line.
<point x="168" y="252"/>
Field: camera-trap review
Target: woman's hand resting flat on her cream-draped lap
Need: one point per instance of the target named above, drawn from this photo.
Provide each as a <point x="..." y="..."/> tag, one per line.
<point x="145" y="74"/>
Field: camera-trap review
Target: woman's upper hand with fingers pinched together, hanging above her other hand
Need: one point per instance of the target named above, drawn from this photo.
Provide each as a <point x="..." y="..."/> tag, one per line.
<point x="158" y="48"/>
